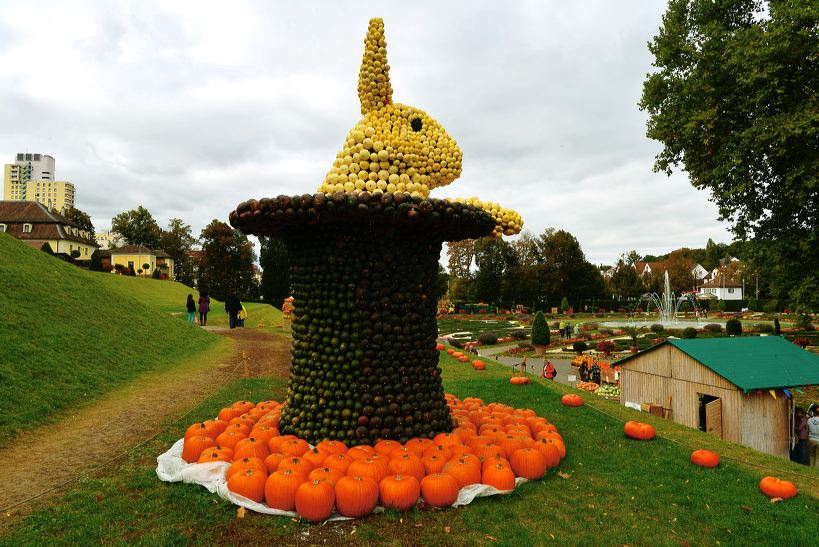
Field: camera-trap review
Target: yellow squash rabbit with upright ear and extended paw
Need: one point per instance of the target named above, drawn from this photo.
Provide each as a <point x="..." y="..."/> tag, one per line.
<point x="398" y="148"/>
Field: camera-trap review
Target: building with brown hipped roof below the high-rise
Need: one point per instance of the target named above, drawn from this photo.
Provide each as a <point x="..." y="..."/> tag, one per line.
<point x="37" y="225"/>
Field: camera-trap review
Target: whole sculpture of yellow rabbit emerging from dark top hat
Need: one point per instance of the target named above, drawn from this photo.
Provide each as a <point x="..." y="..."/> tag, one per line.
<point x="368" y="241"/>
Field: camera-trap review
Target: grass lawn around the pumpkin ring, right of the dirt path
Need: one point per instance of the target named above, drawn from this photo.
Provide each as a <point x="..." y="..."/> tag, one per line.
<point x="612" y="490"/>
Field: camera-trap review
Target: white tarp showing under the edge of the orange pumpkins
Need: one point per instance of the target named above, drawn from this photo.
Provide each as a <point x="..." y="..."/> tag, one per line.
<point x="170" y="467"/>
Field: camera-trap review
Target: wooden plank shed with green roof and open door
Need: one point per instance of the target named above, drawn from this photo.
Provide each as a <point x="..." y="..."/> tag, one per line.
<point x="733" y="388"/>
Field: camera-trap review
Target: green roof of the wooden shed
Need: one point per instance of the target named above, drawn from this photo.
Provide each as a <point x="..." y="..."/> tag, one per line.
<point x="750" y="362"/>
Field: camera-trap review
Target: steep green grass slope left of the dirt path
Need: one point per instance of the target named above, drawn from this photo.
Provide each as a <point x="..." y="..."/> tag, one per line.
<point x="68" y="335"/>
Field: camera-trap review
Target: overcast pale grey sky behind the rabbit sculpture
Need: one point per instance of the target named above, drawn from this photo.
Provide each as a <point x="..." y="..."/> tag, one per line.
<point x="188" y="108"/>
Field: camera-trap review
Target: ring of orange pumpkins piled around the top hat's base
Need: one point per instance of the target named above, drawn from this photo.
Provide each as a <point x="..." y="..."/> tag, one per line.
<point x="492" y="444"/>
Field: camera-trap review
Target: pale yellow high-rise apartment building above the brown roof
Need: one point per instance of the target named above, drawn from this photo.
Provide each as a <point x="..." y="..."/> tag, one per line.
<point x="31" y="178"/>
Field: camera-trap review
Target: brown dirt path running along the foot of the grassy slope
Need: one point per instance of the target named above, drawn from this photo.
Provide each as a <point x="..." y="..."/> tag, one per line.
<point x="47" y="457"/>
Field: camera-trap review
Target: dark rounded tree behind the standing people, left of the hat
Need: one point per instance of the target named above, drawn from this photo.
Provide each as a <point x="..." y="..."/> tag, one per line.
<point x="226" y="263"/>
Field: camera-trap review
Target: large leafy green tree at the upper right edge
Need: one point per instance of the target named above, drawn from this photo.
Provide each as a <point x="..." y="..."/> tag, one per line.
<point x="734" y="103"/>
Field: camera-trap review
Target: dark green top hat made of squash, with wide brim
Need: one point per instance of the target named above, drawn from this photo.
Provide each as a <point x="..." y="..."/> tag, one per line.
<point x="363" y="276"/>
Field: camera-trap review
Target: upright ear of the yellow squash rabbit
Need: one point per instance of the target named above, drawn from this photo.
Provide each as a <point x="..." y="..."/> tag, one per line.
<point x="374" y="87"/>
